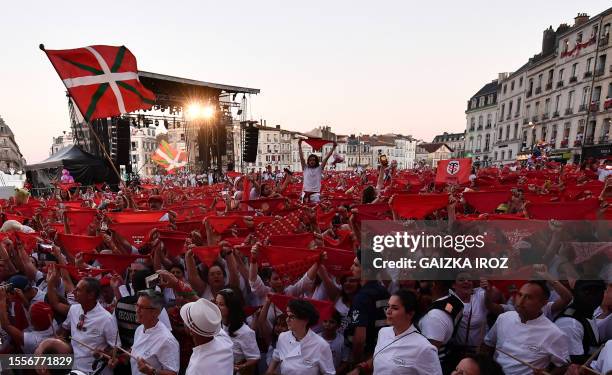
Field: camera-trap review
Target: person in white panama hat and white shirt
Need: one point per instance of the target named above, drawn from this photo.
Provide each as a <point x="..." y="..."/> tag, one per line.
<point x="213" y="349"/>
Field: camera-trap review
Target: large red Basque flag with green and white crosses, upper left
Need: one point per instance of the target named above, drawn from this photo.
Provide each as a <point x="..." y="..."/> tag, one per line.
<point x="70" y="64"/>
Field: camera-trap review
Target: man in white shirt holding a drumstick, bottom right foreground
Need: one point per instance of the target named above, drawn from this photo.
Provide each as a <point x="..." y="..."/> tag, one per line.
<point x="528" y="335"/>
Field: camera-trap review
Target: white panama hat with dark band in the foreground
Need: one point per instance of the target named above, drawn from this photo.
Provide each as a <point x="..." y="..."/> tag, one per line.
<point x="202" y="317"/>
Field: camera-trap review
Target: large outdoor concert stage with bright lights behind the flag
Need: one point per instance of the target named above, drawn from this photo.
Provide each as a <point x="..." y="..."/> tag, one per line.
<point x="198" y="116"/>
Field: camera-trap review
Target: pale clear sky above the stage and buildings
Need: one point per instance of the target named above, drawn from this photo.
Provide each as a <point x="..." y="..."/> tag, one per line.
<point x="358" y="66"/>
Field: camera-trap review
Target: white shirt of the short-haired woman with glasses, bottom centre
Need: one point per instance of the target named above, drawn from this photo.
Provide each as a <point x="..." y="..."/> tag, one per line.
<point x="310" y="356"/>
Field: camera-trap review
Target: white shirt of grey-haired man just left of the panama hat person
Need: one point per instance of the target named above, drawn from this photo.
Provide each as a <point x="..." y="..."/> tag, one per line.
<point x="157" y="347"/>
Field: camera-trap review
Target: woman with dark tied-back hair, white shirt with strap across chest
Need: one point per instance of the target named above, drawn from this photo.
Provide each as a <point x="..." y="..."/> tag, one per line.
<point x="400" y="348"/>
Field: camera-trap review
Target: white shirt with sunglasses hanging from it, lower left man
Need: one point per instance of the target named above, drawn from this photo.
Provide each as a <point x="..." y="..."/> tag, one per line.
<point x="99" y="331"/>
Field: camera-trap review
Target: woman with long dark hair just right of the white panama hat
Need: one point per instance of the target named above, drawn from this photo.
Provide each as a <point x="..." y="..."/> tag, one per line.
<point x="246" y="352"/>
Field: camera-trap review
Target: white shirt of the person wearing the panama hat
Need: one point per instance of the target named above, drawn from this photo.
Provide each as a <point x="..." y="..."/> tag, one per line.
<point x="214" y="357"/>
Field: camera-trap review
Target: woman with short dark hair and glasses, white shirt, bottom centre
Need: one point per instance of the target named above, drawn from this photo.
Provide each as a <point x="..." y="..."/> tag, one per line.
<point x="300" y="351"/>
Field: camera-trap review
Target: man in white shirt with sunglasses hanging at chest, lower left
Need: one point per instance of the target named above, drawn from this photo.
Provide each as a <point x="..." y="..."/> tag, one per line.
<point x="87" y="322"/>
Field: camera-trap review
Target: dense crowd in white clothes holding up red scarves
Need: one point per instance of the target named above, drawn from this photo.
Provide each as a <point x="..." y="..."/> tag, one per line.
<point x="261" y="273"/>
